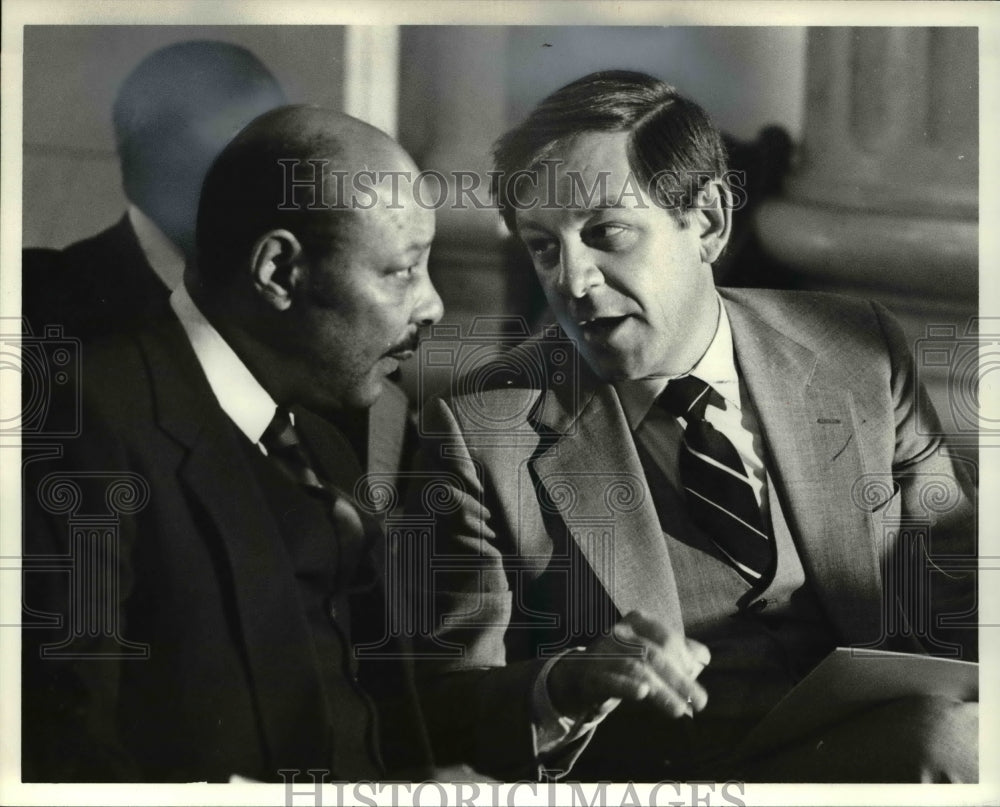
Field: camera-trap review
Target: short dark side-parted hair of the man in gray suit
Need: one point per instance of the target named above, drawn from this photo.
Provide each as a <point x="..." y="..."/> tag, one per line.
<point x="673" y="148"/>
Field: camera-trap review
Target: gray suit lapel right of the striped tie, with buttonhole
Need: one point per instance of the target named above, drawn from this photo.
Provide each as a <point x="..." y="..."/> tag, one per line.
<point x="810" y="433"/>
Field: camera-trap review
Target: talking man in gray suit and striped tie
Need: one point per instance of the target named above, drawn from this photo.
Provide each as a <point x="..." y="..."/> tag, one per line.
<point x="643" y="551"/>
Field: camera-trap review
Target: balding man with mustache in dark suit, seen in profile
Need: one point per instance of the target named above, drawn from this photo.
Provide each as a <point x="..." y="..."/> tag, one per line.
<point x="215" y="625"/>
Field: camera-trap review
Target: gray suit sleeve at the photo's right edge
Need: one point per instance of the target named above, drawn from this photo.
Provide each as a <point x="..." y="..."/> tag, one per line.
<point x="935" y="588"/>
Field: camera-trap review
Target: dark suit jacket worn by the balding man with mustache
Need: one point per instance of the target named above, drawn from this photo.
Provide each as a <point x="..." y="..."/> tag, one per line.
<point x="212" y="668"/>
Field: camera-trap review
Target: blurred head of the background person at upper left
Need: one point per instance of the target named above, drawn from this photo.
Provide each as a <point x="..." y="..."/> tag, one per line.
<point x="172" y="116"/>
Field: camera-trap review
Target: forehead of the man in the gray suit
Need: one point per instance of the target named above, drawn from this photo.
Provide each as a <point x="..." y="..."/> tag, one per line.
<point x="590" y="171"/>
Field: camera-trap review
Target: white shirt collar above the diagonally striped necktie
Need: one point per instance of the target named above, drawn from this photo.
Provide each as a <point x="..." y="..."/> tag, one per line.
<point x="716" y="367"/>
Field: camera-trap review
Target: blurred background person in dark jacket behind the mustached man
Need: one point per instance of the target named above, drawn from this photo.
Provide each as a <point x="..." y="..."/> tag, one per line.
<point x="172" y="115"/>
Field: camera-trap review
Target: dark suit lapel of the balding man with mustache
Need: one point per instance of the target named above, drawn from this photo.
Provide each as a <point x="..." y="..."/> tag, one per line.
<point x="283" y="674"/>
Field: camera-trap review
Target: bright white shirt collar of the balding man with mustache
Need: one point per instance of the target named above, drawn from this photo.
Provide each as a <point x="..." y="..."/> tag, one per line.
<point x="240" y="395"/>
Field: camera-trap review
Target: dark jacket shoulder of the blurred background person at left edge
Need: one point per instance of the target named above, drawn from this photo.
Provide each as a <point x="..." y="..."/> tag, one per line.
<point x="96" y="287"/>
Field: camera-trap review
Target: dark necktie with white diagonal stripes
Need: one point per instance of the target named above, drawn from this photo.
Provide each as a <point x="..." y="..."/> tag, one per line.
<point x="719" y="496"/>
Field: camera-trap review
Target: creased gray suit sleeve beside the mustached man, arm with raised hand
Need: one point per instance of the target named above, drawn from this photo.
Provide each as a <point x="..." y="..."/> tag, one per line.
<point x="477" y="706"/>
